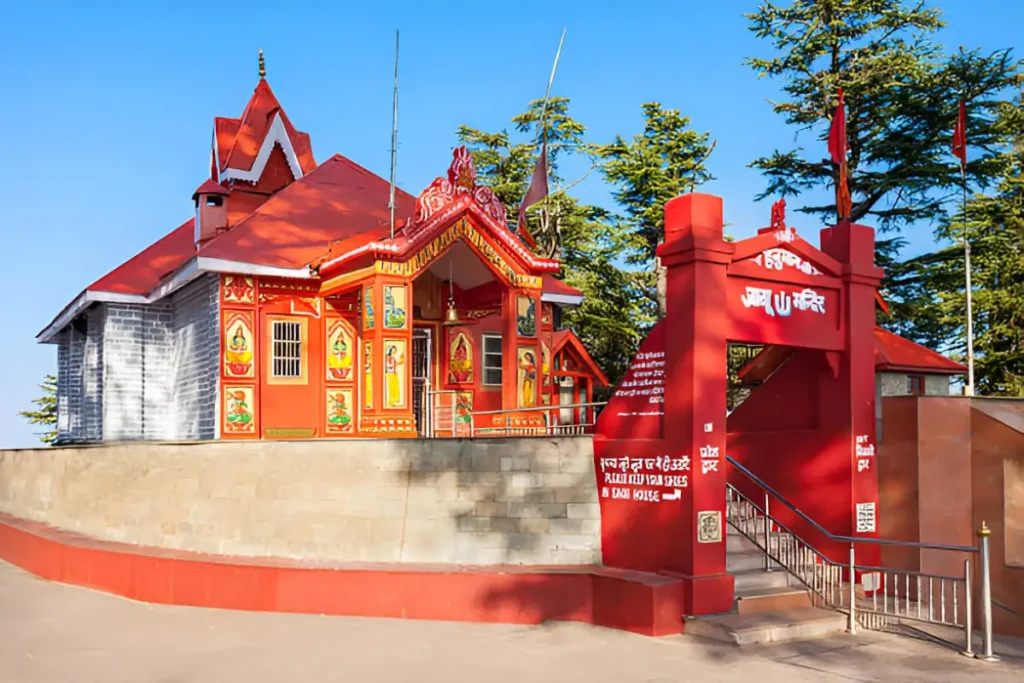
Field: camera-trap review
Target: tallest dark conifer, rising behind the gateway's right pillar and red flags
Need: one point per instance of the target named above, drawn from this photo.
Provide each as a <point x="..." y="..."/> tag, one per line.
<point x="902" y="96"/>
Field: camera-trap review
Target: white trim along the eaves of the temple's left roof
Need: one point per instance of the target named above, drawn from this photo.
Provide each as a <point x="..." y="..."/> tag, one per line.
<point x="190" y="272"/>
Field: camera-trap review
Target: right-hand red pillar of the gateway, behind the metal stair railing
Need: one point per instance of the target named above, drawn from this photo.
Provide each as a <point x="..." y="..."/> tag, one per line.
<point x="852" y="412"/>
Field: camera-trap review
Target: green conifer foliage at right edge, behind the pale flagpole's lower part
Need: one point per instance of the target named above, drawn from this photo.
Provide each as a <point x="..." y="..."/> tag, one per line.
<point x="929" y="302"/>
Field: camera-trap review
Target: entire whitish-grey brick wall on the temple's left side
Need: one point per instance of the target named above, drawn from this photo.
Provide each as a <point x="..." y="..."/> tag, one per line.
<point x="130" y="372"/>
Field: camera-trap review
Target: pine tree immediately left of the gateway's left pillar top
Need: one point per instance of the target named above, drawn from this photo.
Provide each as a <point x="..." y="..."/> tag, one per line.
<point x="667" y="160"/>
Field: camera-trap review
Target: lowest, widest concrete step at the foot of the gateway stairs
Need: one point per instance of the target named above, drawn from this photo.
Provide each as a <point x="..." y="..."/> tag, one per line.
<point x="769" y="627"/>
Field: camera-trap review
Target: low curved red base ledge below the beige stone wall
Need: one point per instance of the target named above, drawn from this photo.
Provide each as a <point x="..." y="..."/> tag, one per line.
<point x="644" y="604"/>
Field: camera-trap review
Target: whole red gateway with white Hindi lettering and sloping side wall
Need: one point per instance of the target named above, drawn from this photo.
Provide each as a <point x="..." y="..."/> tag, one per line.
<point x="809" y="433"/>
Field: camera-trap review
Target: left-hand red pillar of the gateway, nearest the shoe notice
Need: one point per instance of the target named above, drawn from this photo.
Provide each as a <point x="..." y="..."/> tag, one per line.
<point x="697" y="259"/>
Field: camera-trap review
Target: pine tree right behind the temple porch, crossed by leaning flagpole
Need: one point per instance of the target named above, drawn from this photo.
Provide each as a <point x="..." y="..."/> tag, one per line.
<point x="611" y="321"/>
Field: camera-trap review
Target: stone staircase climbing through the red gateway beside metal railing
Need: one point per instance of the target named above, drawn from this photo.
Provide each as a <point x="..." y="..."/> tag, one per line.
<point x="772" y="606"/>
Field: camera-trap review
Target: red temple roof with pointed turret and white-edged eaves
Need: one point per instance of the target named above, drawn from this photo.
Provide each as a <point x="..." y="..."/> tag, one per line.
<point x="335" y="208"/>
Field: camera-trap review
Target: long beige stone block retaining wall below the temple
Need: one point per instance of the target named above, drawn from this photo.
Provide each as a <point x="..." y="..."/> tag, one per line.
<point x="526" y="501"/>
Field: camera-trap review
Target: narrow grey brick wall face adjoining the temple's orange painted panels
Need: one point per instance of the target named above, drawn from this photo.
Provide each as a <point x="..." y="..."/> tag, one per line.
<point x="196" y="331"/>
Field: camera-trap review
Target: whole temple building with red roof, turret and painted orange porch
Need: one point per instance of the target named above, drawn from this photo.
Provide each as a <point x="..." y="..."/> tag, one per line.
<point x="289" y="307"/>
